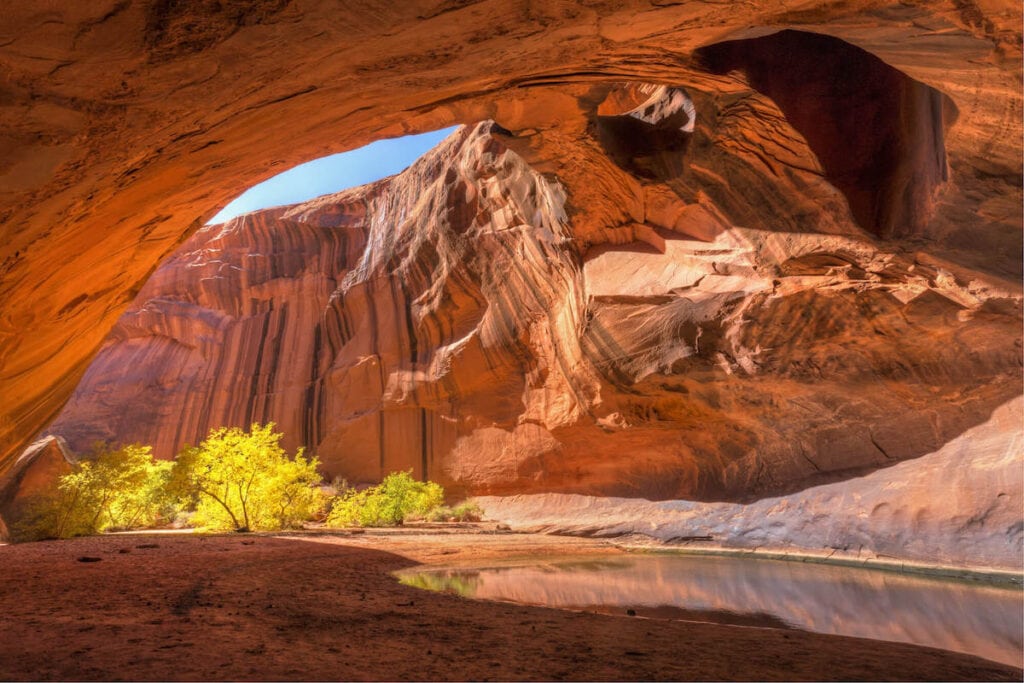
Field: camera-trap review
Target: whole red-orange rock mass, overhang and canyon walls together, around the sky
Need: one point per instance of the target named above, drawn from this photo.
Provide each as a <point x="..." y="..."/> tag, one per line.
<point x="691" y="260"/>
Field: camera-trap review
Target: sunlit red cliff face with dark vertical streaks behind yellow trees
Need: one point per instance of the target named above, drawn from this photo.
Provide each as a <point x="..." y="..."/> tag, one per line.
<point x="386" y="328"/>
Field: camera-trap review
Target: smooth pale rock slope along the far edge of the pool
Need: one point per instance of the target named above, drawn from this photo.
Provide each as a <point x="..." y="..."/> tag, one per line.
<point x="959" y="506"/>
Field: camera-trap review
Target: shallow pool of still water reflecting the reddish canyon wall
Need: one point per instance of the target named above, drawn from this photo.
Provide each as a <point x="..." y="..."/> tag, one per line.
<point x="983" y="620"/>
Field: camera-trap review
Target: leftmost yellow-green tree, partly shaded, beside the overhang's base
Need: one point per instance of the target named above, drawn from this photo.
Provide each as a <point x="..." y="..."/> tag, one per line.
<point x="110" y="490"/>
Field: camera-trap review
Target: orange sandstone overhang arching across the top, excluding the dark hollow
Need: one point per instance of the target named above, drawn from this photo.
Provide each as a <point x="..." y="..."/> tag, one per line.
<point x="129" y="121"/>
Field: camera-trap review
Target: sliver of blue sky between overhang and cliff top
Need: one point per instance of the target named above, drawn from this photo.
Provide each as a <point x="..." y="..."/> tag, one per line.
<point x="330" y="175"/>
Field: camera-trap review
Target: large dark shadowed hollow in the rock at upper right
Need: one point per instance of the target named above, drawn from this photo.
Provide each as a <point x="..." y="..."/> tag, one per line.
<point x="878" y="133"/>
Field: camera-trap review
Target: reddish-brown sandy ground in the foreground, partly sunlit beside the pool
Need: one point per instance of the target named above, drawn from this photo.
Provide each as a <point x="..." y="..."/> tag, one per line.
<point x="327" y="608"/>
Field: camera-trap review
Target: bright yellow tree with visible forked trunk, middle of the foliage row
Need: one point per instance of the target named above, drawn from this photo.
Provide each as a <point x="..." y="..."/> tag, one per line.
<point x="246" y="482"/>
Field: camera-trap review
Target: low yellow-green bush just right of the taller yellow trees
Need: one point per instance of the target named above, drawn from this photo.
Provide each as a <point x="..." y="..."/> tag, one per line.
<point x="395" y="500"/>
